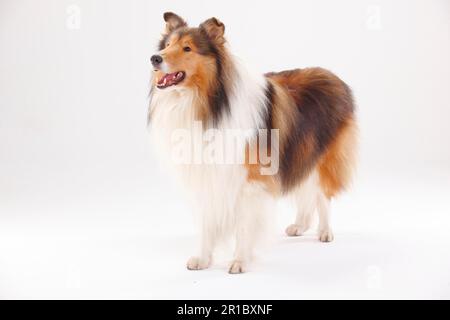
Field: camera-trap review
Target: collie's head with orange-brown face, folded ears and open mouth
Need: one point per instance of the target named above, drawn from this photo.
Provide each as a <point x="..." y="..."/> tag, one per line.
<point x="188" y="57"/>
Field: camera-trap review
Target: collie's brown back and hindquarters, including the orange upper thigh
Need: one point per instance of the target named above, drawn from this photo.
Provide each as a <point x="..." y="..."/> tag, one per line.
<point x="314" y="112"/>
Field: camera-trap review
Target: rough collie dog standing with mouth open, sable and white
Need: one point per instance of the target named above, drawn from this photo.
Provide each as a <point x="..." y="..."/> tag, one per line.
<point x="296" y="128"/>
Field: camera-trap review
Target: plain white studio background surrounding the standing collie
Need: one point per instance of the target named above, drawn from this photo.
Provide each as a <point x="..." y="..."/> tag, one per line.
<point x="85" y="211"/>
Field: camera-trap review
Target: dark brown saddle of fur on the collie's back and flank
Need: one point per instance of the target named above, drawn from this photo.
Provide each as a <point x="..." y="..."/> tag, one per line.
<point x="320" y="105"/>
